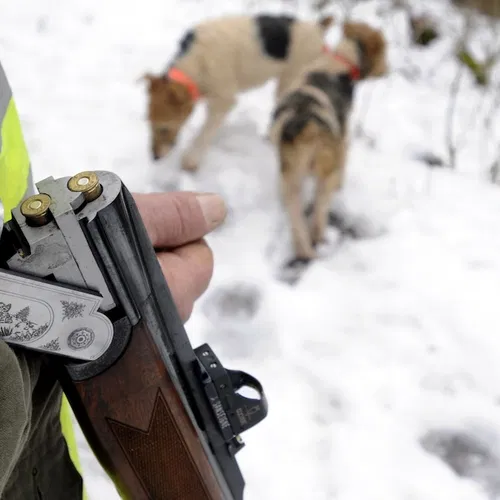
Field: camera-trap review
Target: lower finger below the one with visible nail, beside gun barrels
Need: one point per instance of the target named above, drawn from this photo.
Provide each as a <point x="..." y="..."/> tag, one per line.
<point x="188" y="271"/>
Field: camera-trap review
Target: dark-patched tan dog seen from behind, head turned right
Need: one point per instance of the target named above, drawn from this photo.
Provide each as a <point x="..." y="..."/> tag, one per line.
<point x="309" y="128"/>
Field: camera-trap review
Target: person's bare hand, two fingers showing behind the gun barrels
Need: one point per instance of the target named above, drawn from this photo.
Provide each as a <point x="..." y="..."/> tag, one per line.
<point x="176" y="224"/>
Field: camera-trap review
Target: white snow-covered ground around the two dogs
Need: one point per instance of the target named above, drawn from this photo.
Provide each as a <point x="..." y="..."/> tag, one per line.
<point x="381" y="366"/>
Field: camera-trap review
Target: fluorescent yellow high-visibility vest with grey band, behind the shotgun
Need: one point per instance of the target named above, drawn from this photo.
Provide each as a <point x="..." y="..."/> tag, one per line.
<point x="15" y="184"/>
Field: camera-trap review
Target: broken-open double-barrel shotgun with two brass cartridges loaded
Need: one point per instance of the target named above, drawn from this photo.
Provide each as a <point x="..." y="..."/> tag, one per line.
<point x="80" y="283"/>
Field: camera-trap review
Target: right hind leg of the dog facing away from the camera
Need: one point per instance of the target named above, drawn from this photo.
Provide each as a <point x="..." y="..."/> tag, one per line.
<point x="329" y="168"/>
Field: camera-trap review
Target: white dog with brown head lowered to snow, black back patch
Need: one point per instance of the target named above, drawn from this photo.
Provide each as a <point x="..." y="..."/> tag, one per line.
<point x="219" y="59"/>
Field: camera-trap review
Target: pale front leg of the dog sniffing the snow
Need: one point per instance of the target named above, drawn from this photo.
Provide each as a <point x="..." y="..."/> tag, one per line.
<point x="217" y="110"/>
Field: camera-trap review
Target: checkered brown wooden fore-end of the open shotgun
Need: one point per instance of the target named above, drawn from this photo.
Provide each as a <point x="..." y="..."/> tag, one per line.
<point x="138" y="427"/>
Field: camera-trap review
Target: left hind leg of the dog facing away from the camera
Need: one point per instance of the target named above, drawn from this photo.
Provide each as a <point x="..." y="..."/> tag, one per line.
<point x="294" y="166"/>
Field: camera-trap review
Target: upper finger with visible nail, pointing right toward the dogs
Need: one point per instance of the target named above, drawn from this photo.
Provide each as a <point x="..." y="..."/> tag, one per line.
<point x="174" y="219"/>
